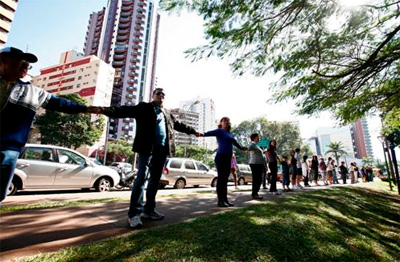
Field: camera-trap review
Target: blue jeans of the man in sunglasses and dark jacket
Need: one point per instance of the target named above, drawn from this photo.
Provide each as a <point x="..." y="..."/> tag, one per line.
<point x="147" y="162"/>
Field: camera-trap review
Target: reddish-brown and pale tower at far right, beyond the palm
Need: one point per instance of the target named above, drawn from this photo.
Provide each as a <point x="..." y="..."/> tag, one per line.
<point x="361" y="139"/>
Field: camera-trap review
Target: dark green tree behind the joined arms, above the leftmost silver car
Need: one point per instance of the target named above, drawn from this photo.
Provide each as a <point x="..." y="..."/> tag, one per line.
<point x="69" y="130"/>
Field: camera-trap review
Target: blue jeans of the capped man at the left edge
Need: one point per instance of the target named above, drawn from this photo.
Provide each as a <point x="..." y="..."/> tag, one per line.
<point x="8" y="161"/>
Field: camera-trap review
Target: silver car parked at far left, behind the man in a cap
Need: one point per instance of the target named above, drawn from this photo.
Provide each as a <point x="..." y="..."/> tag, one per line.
<point x="55" y="167"/>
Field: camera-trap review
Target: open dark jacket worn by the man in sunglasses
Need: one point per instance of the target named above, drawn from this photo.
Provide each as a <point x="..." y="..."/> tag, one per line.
<point x="145" y="116"/>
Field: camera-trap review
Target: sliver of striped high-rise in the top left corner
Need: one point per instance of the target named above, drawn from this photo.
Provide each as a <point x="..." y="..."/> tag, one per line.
<point x="7" y="10"/>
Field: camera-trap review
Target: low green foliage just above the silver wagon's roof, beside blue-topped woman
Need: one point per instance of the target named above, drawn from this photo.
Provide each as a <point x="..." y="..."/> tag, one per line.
<point x="198" y="153"/>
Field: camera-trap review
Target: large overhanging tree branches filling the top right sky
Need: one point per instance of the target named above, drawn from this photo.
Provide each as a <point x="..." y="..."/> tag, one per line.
<point x="343" y="60"/>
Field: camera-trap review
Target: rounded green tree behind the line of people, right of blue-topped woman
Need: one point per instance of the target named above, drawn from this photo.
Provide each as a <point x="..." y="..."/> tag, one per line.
<point x="286" y="134"/>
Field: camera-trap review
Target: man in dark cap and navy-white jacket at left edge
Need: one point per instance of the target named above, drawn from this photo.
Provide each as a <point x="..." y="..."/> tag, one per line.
<point x="19" y="102"/>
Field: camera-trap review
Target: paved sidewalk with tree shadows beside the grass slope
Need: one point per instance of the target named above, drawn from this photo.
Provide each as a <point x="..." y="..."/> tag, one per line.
<point x="31" y="232"/>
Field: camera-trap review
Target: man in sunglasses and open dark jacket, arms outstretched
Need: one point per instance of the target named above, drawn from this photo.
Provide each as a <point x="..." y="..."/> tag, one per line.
<point x="154" y="141"/>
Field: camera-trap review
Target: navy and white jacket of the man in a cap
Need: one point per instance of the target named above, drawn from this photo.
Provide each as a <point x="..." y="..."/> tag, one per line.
<point x="17" y="114"/>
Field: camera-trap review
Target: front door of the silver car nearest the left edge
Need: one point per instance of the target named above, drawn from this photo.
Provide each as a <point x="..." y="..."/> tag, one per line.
<point x="73" y="170"/>
